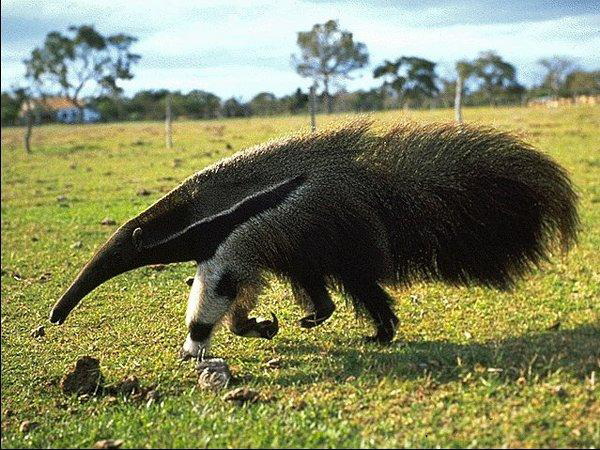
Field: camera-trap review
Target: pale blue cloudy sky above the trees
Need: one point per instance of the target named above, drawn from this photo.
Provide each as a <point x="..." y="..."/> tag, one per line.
<point x="240" y="48"/>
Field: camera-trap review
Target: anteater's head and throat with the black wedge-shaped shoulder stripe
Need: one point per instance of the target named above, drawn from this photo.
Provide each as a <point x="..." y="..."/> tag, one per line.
<point x="171" y="230"/>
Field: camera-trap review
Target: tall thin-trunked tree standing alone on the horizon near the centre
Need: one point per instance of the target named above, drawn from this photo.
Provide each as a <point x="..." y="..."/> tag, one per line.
<point x="327" y="55"/>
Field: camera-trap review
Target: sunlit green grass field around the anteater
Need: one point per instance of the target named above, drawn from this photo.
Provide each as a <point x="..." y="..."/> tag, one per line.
<point x="470" y="367"/>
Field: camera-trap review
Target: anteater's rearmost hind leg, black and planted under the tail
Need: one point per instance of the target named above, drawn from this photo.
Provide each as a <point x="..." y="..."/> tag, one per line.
<point x="377" y="303"/>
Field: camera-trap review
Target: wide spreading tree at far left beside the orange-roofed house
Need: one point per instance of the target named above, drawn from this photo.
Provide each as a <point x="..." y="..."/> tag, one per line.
<point x="83" y="59"/>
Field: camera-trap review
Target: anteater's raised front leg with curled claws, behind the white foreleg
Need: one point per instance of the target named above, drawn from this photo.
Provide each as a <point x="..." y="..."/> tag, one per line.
<point x="239" y="323"/>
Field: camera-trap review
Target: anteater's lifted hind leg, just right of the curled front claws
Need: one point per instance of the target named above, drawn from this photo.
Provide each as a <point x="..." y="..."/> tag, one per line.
<point x="310" y="293"/>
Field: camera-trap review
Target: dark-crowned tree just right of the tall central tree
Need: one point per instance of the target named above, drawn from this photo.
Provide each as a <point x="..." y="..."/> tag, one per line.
<point x="412" y="78"/>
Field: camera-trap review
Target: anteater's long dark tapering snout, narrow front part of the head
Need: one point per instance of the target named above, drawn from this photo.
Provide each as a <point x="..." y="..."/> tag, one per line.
<point x="116" y="256"/>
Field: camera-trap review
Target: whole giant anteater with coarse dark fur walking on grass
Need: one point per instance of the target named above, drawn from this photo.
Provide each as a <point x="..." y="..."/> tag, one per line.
<point x="355" y="209"/>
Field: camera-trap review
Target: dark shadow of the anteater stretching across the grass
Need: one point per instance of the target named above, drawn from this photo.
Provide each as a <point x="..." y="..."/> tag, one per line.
<point x="532" y="356"/>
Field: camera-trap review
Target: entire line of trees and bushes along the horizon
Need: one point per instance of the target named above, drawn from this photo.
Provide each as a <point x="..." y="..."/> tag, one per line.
<point x="328" y="55"/>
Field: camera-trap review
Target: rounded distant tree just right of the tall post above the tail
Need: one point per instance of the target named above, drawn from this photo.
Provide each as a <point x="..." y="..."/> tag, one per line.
<point x="496" y="75"/>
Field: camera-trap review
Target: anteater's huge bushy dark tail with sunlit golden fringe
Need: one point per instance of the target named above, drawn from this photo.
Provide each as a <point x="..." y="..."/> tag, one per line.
<point x="471" y="205"/>
